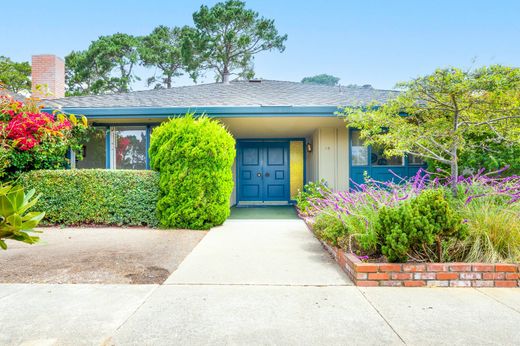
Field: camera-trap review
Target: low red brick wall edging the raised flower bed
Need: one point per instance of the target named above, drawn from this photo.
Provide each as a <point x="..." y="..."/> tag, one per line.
<point x="427" y="274"/>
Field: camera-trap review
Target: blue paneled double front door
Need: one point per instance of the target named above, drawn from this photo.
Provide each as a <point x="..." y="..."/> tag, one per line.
<point x="263" y="171"/>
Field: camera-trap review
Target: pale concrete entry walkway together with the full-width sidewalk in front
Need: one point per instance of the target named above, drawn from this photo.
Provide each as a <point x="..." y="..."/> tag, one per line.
<point x="256" y="282"/>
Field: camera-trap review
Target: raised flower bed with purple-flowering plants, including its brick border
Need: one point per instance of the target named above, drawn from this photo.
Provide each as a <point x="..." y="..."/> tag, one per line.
<point x="418" y="233"/>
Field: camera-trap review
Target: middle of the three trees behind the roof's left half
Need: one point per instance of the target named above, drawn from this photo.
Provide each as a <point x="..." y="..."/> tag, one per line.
<point x="170" y="50"/>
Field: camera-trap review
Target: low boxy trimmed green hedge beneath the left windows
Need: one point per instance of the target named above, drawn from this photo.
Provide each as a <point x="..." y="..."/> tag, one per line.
<point x="96" y="196"/>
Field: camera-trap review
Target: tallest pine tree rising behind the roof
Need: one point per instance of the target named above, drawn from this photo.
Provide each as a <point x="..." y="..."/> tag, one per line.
<point x="229" y="35"/>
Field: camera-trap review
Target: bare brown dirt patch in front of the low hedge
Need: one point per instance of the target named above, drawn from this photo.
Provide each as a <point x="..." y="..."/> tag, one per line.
<point x="98" y="255"/>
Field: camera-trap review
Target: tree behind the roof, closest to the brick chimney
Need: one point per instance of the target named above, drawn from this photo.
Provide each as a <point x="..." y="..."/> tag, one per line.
<point x="107" y="66"/>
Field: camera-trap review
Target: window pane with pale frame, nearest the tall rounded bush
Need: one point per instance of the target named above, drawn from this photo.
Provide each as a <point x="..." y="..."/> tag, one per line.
<point x="129" y="147"/>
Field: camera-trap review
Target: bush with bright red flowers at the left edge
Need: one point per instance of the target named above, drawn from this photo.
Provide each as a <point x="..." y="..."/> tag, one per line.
<point x="32" y="139"/>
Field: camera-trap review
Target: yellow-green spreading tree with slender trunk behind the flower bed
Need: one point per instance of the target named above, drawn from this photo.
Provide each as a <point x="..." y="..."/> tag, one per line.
<point x="434" y="115"/>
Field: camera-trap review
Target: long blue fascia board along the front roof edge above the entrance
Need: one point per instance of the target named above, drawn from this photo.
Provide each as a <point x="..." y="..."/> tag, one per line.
<point x="210" y="111"/>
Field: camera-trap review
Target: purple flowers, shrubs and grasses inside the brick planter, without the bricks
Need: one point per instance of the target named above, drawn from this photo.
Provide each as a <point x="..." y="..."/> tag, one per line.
<point x="489" y="204"/>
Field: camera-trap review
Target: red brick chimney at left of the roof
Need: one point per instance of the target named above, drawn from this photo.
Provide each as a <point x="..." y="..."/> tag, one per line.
<point x="49" y="72"/>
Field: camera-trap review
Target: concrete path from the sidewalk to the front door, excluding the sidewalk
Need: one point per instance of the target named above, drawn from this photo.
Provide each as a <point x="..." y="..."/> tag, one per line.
<point x="261" y="252"/>
